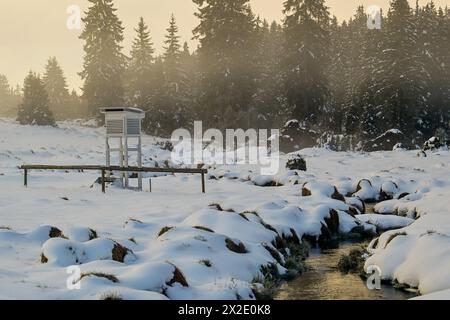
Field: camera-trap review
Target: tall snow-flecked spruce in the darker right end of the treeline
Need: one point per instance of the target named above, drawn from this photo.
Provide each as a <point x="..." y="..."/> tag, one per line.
<point x="400" y="91"/>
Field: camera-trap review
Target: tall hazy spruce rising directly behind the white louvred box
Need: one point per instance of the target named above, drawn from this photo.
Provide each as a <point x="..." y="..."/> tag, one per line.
<point x="104" y="62"/>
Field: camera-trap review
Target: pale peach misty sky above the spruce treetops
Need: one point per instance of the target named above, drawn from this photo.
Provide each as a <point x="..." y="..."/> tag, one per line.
<point x="33" y="30"/>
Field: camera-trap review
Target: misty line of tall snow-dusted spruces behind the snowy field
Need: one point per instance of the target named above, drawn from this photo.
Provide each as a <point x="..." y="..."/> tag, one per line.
<point x="334" y="78"/>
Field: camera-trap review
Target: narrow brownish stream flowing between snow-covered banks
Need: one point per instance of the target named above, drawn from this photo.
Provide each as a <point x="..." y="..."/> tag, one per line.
<point x="323" y="281"/>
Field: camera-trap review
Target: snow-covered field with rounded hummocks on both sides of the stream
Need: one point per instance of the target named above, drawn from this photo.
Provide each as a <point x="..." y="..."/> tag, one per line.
<point x="177" y="243"/>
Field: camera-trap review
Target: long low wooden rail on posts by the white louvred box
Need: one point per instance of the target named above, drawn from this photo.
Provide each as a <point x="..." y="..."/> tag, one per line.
<point x="104" y="169"/>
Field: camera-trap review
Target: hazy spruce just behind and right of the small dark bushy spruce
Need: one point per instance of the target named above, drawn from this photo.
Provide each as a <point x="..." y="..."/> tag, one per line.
<point x="56" y="86"/>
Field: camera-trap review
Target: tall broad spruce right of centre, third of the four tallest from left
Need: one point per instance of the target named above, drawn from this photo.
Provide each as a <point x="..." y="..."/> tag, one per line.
<point x="306" y="58"/>
